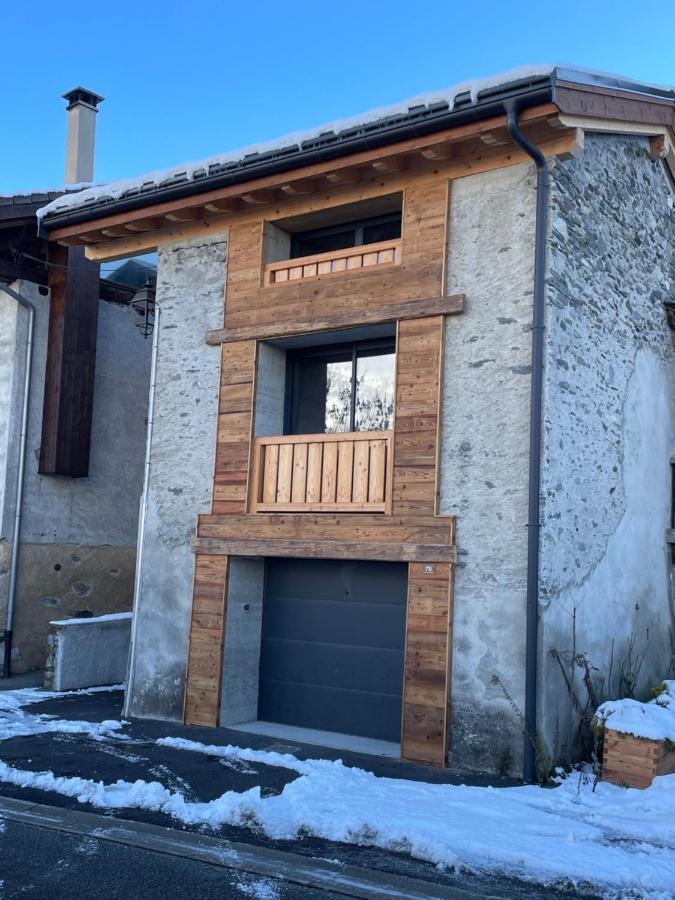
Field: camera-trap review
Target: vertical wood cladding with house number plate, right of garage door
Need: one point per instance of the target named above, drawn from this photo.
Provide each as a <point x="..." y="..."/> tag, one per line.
<point x="426" y="688"/>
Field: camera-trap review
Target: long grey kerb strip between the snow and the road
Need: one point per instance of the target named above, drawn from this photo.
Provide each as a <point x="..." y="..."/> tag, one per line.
<point x="346" y="880"/>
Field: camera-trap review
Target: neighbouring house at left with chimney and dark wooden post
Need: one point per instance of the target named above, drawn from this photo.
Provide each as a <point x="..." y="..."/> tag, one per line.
<point x="87" y="390"/>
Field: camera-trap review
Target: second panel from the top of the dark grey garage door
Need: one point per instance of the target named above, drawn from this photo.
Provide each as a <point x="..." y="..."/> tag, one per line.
<point x="316" y="620"/>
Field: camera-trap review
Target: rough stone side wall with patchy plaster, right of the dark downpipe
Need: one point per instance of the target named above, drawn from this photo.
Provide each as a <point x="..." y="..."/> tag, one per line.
<point x="609" y="428"/>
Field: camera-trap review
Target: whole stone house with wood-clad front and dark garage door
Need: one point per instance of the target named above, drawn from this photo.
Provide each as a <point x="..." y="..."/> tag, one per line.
<point x="413" y="429"/>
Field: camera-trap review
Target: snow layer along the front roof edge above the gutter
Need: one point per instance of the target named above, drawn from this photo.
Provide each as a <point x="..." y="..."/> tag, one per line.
<point x="114" y="190"/>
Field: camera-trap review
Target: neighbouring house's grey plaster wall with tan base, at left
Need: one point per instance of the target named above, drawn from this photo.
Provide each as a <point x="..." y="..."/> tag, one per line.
<point x="78" y="535"/>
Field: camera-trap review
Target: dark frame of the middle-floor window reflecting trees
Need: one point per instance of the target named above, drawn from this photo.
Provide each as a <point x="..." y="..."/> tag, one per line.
<point x="353" y="350"/>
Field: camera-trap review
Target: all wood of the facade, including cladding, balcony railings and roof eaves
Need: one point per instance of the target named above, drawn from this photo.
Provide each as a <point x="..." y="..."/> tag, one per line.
<point x="356" y="496"/>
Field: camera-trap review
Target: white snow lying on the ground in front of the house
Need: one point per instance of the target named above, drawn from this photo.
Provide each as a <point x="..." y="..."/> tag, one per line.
<point x="605" y="838"/>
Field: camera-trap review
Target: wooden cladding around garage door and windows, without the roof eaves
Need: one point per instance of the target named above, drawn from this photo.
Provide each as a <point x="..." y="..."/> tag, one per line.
<point x="369" y="495"/>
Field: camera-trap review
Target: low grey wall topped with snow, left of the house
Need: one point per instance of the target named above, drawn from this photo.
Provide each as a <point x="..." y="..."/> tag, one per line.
<point x="88" y="652"/>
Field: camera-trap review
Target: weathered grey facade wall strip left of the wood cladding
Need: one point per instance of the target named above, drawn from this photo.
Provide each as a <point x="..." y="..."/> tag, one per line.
<point x="190" y="292"/>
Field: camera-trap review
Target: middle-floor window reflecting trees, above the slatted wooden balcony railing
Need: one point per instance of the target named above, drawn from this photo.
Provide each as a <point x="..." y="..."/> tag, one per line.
<point x="346" y="387"/>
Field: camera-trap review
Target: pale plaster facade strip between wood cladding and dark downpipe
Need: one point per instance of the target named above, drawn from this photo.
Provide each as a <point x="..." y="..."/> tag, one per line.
<point x="484" y="456"/>
